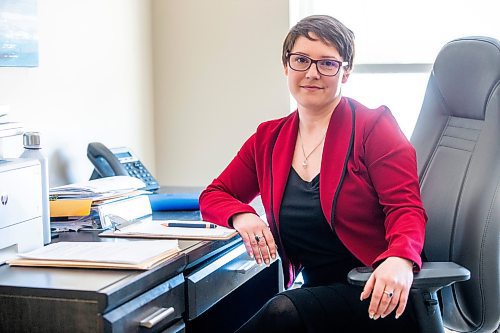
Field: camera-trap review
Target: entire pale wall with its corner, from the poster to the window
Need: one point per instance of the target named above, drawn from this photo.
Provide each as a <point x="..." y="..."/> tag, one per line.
<point x="216" y="73"/>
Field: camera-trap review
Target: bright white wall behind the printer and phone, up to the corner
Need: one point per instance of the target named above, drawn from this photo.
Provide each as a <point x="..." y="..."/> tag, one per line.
<point x="93" y="82"/>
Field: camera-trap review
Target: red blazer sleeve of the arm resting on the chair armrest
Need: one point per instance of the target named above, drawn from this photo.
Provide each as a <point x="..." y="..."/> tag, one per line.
<point x="392" y="167"/>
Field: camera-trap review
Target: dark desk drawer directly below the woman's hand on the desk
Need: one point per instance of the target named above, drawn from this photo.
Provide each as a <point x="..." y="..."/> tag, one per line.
<point x="209" y="284"/>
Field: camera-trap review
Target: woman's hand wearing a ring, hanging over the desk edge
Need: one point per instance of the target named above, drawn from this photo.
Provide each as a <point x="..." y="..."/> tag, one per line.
<point x="257" y="237"/>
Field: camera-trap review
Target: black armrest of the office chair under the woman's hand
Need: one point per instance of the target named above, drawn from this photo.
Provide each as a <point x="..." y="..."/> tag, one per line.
<point x="433" y="275"/>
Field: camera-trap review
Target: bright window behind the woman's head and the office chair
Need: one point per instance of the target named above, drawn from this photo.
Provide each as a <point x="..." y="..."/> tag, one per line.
<point x="396" y="43"/>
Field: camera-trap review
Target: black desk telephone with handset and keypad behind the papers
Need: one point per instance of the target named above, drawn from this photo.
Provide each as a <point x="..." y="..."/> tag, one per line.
<point x="118" y="162"/>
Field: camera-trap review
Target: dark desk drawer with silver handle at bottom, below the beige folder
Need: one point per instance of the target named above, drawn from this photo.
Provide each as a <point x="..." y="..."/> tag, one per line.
<point x="151" y="311"/>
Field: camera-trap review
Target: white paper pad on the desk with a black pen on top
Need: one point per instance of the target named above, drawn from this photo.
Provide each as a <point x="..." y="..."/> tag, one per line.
<point x="149" y="228"/>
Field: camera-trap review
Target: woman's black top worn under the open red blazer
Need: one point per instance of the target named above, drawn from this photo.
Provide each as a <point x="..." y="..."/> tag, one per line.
<point x="307" y="236"/>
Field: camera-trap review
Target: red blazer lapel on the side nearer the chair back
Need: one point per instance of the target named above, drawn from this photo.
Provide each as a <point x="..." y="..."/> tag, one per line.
<point x="337" y="148"/>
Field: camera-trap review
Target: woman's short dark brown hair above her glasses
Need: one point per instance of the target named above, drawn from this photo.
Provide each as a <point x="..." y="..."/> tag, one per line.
<point x="328" y="29"/>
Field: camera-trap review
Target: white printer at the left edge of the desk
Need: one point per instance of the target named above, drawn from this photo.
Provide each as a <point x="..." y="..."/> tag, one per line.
<point x="21" y="228"/>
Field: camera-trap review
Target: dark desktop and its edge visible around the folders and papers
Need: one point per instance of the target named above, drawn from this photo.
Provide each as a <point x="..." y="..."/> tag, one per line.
<point x="109" y="287"/>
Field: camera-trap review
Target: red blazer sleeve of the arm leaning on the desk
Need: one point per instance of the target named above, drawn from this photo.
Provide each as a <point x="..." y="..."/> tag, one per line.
<point x="231" y="192"/>
